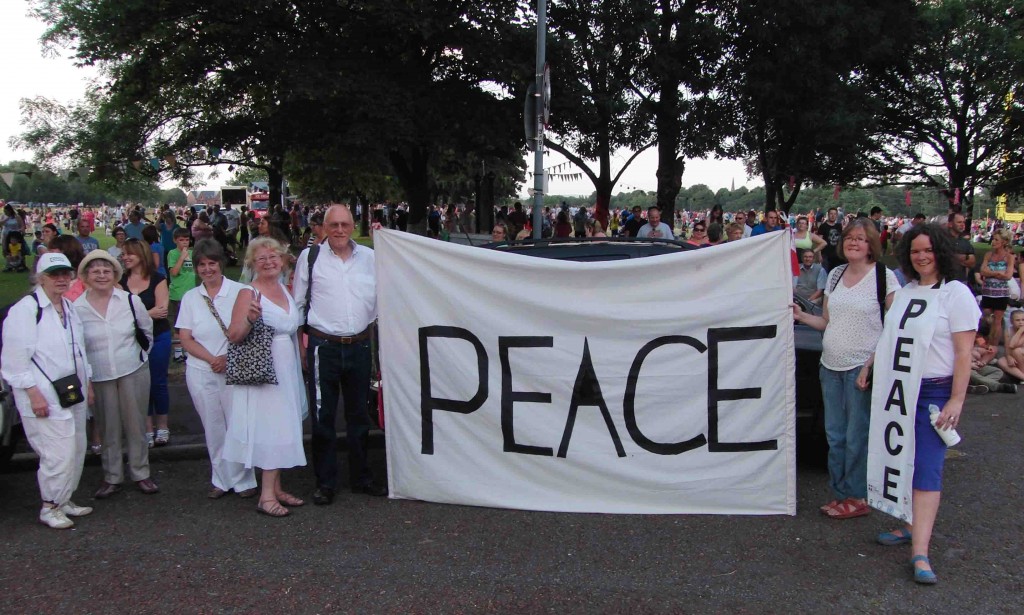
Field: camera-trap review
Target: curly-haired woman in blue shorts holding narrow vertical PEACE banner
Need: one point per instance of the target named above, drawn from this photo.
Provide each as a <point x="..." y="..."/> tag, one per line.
<point x="926" y="347"/>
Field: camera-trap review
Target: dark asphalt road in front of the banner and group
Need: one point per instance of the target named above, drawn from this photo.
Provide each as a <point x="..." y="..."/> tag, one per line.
<point x="179" y="552"/>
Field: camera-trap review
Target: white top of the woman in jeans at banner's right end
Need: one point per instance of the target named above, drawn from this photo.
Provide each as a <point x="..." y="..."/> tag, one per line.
<point x="855" y="322"/>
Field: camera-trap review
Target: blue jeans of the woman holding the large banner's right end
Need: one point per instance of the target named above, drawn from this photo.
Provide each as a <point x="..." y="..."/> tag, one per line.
<point x="848" y="414"/>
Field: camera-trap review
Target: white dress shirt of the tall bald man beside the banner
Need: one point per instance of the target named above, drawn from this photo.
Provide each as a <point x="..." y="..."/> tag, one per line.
<point x="345" y="294"/>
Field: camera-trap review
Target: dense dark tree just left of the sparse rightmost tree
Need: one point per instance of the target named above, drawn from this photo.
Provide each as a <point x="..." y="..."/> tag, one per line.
<point x="796" y="77"/>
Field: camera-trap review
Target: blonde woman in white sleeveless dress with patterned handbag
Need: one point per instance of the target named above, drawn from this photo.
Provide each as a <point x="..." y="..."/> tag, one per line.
<point x="266" y="430"/>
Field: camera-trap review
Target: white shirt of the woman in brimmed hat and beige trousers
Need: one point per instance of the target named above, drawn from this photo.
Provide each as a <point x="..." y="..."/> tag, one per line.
<point x="110" y="340"/>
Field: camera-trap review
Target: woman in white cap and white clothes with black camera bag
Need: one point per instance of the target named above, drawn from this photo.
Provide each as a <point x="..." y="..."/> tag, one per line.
<point x="42" y="343"/>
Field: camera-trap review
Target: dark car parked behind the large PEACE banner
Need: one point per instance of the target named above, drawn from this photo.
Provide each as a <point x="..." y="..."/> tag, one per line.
<point x="806" y="340"/>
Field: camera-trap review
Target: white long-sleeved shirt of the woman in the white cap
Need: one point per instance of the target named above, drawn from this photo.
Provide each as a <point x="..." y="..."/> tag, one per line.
<point x="50" y="342"/>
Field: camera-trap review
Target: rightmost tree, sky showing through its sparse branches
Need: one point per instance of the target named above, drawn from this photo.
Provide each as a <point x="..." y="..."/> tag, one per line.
<point x="954" y="111"/>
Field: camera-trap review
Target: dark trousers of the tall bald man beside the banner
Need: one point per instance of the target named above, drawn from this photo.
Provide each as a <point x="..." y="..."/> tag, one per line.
<point x="339" y="369"/>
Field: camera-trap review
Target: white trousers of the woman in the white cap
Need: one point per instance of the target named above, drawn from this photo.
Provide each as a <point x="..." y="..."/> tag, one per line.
<point x="61" y="447"/>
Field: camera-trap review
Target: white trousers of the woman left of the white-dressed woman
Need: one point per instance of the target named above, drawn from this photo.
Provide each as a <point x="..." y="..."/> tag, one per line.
<point x="212" y="400"/>
